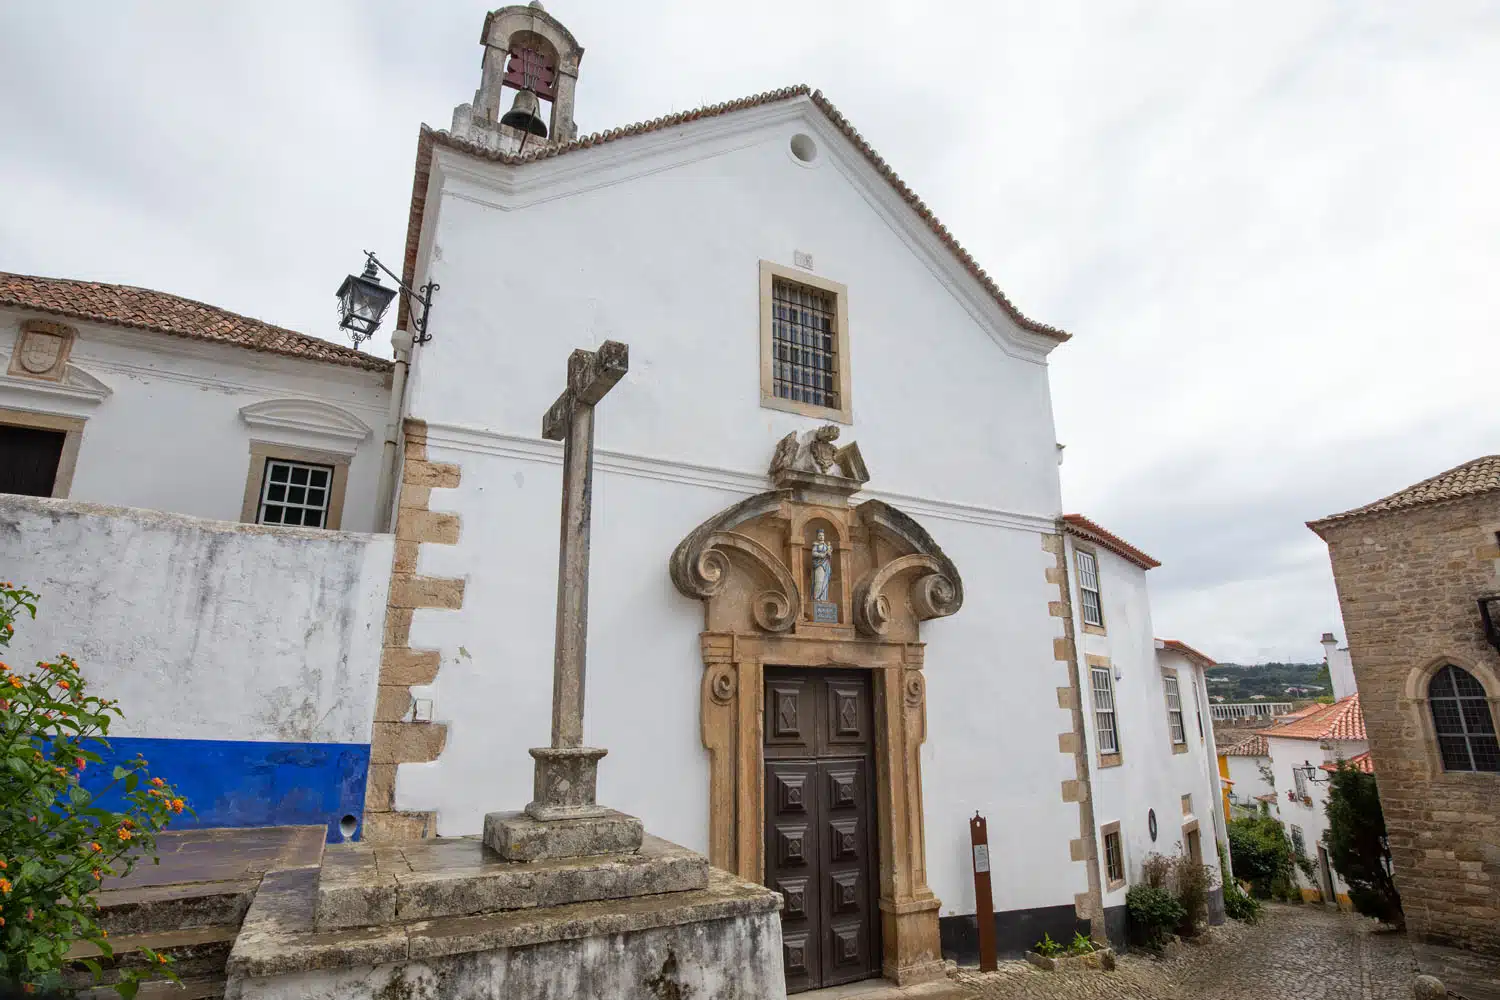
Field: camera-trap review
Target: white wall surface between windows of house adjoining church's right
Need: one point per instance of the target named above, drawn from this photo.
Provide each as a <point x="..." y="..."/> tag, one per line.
<point x="1150" y="776"/>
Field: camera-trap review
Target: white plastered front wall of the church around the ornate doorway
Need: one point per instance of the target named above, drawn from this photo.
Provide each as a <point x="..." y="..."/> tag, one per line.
<point x="656" y="244"/>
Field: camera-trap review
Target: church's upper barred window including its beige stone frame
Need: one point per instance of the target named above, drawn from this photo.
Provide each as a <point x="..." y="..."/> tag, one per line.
<point x="805" y="344"/>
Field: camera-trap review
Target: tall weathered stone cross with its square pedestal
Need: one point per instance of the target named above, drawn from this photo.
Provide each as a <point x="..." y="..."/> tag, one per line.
<point x="565" y="819"/>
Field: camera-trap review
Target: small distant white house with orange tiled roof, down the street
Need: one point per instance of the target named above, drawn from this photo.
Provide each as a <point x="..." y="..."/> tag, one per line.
<point x="1303" y="753"/>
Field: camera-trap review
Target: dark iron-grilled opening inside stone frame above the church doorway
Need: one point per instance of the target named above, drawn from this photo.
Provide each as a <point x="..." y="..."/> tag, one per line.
<point x="805" y="344"/>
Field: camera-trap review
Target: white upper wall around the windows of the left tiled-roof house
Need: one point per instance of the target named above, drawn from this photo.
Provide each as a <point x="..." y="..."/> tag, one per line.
<point x="170" y="437"/>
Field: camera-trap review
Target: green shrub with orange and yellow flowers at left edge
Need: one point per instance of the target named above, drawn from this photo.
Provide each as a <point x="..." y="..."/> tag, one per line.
<point x="56" y="846"/>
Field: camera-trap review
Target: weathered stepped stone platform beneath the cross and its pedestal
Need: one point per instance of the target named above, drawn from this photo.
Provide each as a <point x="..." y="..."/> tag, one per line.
<point x="721" y="939"/>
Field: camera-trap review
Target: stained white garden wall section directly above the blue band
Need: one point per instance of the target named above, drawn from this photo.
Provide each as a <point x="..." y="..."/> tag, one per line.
<point x="202" y="629"/>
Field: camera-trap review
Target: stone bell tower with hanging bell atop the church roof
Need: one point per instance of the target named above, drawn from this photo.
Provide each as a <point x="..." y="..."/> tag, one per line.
<point x="527" y="85"/>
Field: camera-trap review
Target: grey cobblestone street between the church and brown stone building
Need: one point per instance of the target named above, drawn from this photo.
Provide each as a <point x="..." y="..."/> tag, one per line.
<point x="1295" y="953"/>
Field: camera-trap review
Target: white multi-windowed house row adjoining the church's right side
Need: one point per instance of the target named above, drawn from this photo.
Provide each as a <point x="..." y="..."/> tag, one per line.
<point x="1151" y="746"/>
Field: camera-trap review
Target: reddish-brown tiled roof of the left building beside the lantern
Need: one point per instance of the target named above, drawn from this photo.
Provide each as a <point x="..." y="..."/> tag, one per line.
<point x="161" y="313"/>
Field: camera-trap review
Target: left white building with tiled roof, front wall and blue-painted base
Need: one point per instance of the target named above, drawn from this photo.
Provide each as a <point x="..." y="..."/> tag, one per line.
<point x="191" y="493"/>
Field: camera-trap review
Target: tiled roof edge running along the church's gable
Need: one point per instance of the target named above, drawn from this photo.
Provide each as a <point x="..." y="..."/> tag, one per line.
<point x="440" y="137"/>
